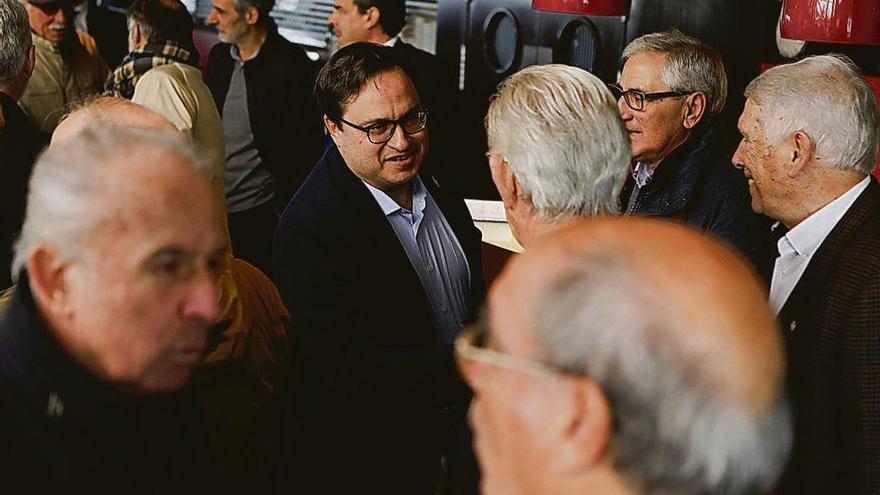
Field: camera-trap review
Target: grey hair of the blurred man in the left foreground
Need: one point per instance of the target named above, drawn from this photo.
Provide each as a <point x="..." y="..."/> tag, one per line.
<point x="64" y="194"/>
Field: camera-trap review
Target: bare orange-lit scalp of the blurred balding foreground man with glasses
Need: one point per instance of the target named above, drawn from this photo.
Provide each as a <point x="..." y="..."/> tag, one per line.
<point x="690" y="289"/>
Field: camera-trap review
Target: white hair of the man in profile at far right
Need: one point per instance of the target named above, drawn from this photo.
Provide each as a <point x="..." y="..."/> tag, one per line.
<point x="826" y="97"/>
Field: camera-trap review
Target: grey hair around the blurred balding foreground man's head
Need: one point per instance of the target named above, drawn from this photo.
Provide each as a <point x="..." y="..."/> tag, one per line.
<point x="674" y="432"/>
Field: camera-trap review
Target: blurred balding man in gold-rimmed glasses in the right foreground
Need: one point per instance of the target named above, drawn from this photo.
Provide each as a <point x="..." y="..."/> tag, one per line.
<point x="596" y="369"/>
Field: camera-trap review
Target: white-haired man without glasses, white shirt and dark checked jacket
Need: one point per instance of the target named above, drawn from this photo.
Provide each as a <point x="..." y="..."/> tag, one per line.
<point x="810" y="141"/>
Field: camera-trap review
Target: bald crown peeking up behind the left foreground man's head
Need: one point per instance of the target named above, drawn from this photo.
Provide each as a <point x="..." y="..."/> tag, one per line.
<point x="109" y="110"/>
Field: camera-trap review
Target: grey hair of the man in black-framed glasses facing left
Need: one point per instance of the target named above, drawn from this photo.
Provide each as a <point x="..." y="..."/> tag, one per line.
<point x="691" y="65"/>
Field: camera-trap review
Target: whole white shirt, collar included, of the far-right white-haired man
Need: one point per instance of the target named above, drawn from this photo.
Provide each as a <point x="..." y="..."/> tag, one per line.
<point x="797" y="247"/>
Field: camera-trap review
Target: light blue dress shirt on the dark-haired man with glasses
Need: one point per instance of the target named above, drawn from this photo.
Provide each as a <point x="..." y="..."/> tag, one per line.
<point x="434" y="253"/>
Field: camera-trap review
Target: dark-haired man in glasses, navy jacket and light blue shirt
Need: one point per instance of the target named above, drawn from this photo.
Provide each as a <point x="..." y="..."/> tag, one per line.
<point x="379" y="265"/>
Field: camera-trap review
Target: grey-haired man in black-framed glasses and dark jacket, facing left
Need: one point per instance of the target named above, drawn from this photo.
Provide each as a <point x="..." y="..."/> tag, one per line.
<point x="672" y="88"/>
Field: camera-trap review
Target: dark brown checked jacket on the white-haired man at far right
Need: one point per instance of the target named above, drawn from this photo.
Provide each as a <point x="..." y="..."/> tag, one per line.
<point x="831" y="324"/>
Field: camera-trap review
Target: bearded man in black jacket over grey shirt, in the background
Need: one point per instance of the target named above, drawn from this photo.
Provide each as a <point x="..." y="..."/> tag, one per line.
<point x="262" y="86"/>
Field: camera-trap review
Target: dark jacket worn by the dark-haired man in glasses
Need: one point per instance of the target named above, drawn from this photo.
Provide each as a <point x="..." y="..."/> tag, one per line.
<point x="377" y="396"/>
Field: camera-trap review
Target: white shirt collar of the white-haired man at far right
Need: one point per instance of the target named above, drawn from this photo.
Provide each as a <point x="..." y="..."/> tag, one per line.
<point x="808" y="235"/>
